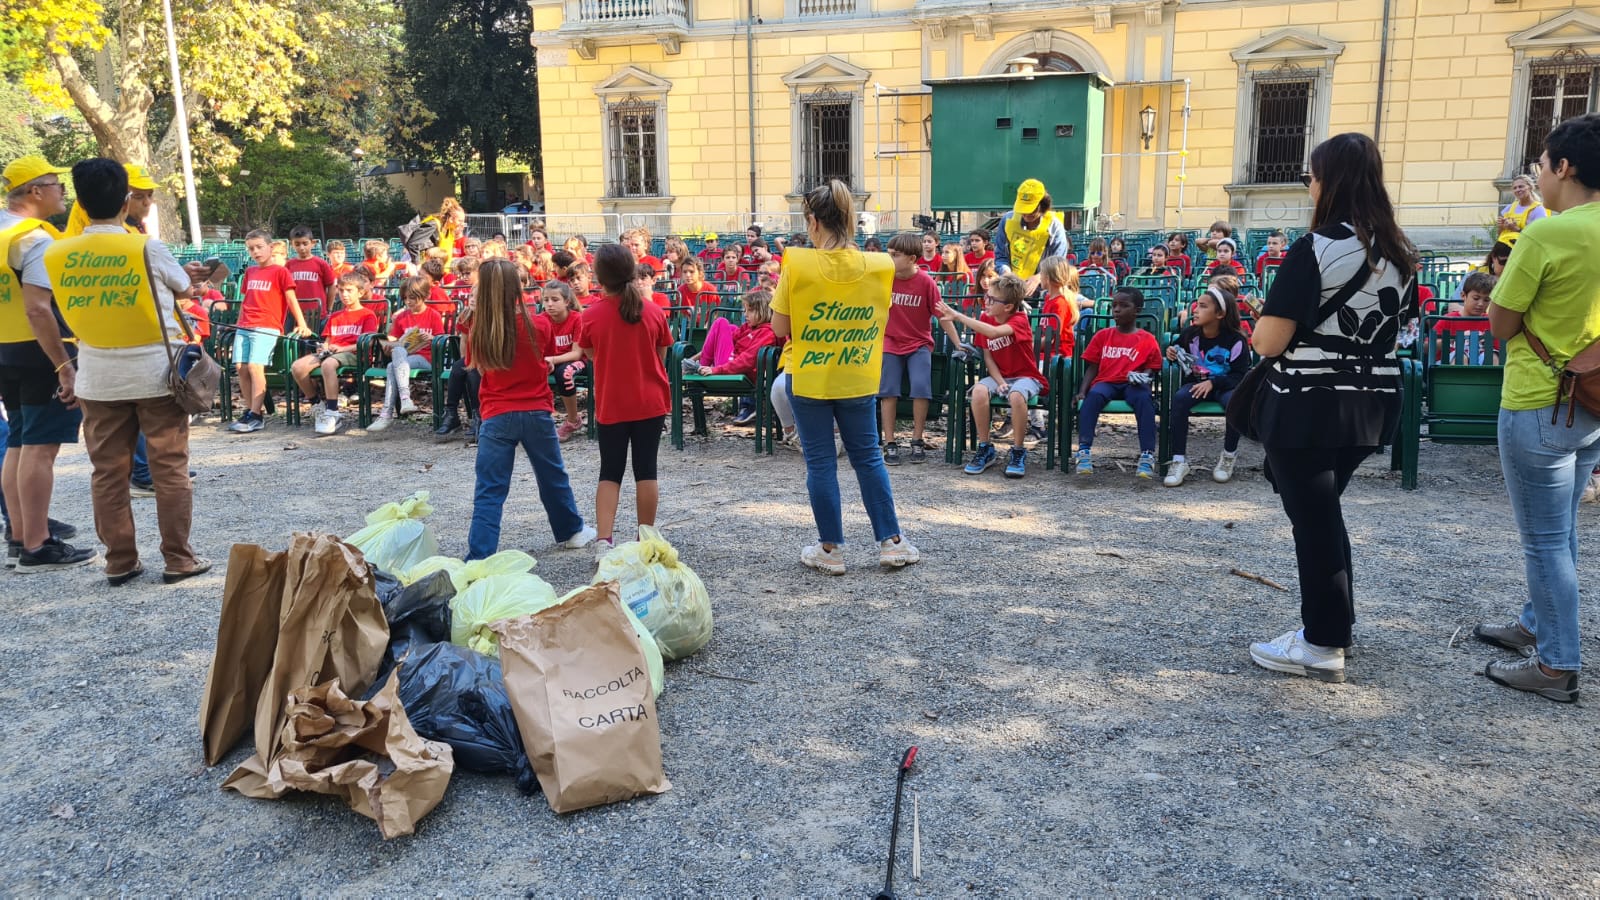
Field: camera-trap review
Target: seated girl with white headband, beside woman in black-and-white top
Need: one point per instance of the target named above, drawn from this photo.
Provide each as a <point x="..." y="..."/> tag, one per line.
<point x="1214" y="356"/>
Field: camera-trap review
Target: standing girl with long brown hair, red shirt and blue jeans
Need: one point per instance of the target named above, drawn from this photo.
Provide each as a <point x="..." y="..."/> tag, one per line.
<point x="516" y="403"/>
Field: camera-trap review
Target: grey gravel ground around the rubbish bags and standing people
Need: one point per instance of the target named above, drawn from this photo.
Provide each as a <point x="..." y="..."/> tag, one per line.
<point x="1070" y="657"/>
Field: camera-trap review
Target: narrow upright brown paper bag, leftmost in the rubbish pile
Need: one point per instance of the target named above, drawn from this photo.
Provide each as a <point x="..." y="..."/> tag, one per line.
<point x="247" y="638"/>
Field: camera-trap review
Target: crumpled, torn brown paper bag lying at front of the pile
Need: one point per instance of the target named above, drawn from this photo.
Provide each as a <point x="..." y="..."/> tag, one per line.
<point x="330" y="744"/>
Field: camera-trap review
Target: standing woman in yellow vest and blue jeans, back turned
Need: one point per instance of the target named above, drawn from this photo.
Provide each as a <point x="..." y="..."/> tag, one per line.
<point x="833" y="303"/>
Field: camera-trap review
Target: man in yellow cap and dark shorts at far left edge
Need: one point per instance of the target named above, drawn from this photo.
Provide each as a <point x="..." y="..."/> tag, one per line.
<point x="38" y="379"/>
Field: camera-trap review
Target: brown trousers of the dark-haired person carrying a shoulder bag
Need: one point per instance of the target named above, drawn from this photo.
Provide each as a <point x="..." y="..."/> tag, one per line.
<point x="110" y="433"/>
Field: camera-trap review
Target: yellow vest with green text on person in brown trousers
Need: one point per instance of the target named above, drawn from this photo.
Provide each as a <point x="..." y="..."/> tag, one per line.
<point x="103" y="289"/>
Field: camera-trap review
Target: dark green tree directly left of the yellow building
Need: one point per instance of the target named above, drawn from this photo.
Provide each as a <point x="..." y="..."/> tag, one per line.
<point x="471" y="66"/>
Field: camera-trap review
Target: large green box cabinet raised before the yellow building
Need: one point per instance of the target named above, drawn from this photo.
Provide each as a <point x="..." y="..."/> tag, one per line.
<point x="996" y="132"/>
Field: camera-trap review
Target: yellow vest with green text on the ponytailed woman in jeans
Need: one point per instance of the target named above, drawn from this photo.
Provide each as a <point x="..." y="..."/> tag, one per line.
<point x="839" y="305"/>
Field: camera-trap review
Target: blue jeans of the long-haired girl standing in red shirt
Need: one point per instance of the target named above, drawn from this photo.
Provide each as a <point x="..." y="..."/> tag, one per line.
<point x="498" y="441"/>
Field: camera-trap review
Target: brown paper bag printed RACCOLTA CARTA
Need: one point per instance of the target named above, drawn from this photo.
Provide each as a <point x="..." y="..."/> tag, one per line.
<point x="580" y="689"/>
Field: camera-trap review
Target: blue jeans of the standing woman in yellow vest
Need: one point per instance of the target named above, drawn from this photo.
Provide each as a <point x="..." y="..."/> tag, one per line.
<point x="858" y="427"/>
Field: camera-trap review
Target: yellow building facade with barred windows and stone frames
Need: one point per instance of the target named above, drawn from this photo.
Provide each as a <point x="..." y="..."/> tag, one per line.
<point x="690" y="115"/>
